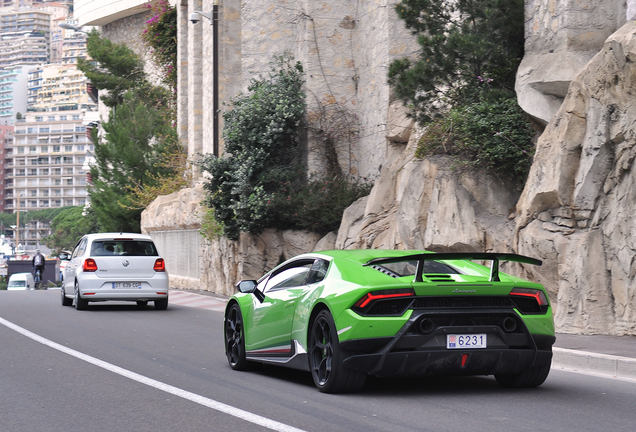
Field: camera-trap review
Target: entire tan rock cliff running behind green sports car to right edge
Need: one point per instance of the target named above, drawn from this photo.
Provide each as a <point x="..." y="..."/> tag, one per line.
<point x="574" y="212"/>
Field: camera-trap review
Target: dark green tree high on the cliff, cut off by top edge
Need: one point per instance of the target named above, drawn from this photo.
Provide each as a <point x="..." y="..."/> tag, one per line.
<point x="465" y="45"/>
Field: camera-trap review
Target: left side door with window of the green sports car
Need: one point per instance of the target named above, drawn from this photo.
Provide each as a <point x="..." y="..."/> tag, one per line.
<point x="271" y="321"/>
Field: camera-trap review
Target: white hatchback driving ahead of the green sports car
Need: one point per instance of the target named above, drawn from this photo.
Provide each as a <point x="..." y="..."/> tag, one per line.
<point x="115" y="266"/>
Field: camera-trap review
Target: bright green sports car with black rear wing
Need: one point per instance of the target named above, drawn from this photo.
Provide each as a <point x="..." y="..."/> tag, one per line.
<point x="347" y="314"/>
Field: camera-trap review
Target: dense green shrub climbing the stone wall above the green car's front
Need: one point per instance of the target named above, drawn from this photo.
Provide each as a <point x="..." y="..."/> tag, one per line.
<point x="261" y="183"/>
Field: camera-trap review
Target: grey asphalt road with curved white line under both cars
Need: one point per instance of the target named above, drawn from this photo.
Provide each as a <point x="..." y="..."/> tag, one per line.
<point x="118" y="368"/>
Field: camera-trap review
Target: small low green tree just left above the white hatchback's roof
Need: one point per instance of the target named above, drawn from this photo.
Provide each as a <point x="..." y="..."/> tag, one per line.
<point x="69" y="226"/>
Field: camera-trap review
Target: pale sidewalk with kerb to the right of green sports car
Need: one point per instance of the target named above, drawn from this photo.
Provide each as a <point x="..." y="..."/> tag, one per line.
<point x="605" y="355"/>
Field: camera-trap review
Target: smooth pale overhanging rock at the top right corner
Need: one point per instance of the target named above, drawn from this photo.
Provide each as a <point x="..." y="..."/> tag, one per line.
<point x="561" y="37"/>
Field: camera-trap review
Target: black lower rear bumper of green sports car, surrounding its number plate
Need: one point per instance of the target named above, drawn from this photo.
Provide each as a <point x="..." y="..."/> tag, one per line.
<point x="412" y="352"/>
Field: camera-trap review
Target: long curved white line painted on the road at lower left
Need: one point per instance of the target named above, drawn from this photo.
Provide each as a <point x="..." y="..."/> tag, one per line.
<point x="193" y="397"/>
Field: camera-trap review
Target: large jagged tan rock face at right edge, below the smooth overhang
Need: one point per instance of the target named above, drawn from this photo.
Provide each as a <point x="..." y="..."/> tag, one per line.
<point x="577" y="207"/>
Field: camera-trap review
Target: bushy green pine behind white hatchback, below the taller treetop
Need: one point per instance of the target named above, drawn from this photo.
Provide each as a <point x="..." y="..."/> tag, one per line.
<point x="131" y="153"/>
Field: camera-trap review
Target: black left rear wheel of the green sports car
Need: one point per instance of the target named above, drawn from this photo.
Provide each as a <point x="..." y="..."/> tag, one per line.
<point x="326" y="357"/>
